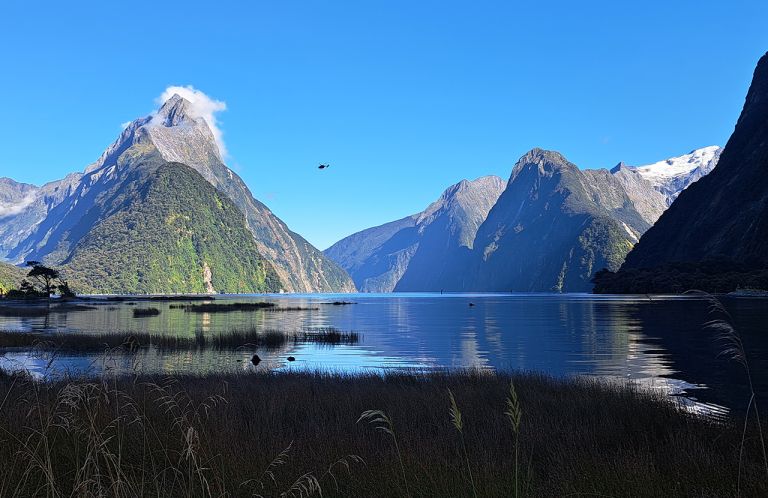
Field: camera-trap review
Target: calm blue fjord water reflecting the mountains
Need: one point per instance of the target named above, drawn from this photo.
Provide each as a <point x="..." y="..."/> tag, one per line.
<point x="658" y="341"/>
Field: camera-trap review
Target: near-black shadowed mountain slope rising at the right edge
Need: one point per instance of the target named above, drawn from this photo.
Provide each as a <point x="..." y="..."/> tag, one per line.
<point x="724" y="215"/>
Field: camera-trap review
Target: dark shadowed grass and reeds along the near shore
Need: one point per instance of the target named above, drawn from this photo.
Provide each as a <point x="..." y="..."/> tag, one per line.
<point x="302" y="434"/>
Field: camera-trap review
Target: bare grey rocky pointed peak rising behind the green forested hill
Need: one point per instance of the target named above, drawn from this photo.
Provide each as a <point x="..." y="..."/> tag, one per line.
<point x="62" y="213"/>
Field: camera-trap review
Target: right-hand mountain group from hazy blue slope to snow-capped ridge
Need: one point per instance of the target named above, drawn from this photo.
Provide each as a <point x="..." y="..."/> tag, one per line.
<point x="549" y="228"/>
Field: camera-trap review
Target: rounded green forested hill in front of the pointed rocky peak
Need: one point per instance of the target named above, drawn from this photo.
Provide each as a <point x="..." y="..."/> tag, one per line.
<point x="164" y="230"/>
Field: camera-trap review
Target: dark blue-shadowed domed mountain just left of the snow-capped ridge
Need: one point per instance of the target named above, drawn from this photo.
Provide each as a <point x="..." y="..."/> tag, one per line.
<point x="553" y="227"/>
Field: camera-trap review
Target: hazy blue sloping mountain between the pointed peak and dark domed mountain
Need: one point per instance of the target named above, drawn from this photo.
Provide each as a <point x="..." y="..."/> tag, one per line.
<point x="416" y="252"/>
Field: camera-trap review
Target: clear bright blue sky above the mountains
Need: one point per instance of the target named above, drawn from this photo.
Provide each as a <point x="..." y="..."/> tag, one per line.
<point x="402" y="98"/>
